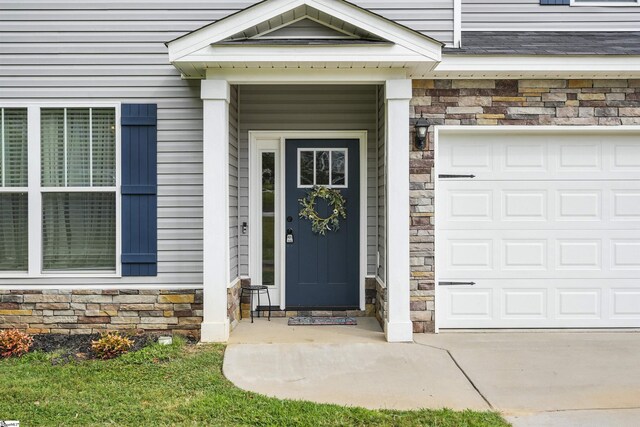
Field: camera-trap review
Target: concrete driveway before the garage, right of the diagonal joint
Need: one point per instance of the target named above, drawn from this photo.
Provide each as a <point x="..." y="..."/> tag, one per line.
<point x="552" y="378"/>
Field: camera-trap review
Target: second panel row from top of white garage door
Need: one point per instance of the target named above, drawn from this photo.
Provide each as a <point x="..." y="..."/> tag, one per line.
<point x="538" y="205"/>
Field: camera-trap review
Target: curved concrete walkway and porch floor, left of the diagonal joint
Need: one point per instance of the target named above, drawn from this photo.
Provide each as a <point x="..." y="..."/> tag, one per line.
<point x="346" y="365"/>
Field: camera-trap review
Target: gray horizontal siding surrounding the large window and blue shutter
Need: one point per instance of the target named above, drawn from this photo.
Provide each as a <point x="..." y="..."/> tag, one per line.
<point x="64" y="52"/>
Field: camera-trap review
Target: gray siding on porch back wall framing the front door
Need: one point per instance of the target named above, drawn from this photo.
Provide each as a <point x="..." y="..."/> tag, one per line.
<point x="307" y="107"/>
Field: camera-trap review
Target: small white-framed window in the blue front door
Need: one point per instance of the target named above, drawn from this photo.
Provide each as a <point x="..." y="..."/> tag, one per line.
<point x="326" y="167"/>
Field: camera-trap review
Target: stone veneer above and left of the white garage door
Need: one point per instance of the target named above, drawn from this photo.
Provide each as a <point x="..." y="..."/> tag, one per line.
<point x="496" y="102"/>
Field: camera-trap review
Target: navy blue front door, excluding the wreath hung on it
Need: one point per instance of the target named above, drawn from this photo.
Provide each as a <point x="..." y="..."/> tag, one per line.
<point x="322" y="271"/>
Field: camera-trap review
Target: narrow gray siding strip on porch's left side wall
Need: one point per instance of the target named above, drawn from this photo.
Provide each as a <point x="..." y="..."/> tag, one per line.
<point x="233" y="184"/>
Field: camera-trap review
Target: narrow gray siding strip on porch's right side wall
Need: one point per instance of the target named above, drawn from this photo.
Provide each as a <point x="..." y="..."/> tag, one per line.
<point x="382" y="188"/>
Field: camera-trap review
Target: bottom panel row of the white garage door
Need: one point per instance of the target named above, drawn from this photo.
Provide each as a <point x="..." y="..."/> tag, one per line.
<point x="535" y="304"/>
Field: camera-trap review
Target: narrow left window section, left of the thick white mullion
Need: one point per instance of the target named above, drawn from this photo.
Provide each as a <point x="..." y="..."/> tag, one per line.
<point x="14" y="227"/>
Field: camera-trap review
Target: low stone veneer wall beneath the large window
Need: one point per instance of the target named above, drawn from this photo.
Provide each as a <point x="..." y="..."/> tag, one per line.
<point x="92" y="311"/>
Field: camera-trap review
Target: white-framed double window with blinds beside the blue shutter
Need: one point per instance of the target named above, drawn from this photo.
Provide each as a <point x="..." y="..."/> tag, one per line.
<point x="62" y="215"/>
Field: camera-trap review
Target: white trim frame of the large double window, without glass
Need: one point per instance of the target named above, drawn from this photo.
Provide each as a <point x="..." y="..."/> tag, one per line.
<point x="35" y="191"/>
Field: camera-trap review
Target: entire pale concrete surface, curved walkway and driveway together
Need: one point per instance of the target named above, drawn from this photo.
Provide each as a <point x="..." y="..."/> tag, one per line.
<point x="533" y="378"/>
